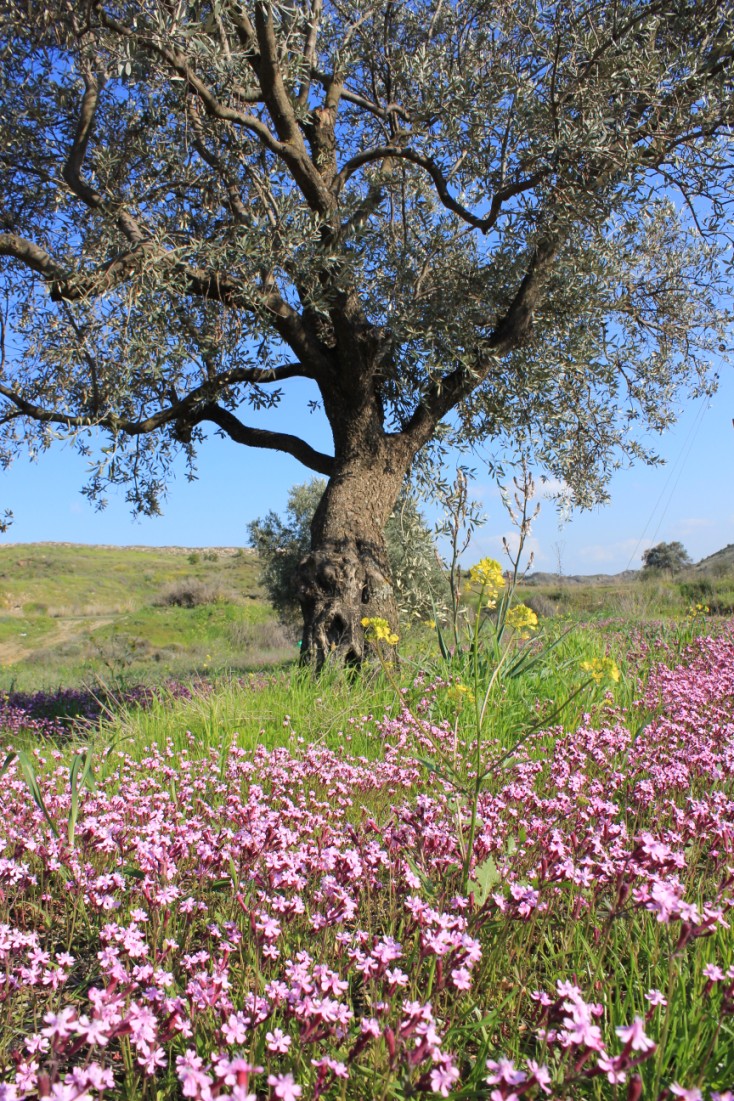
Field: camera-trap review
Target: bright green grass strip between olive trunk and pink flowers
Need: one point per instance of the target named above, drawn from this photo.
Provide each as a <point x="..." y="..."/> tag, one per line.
<point x="342" y="711"/>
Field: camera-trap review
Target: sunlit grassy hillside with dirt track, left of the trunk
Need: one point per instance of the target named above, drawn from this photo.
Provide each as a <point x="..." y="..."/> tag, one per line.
<point x="74" y="615"/>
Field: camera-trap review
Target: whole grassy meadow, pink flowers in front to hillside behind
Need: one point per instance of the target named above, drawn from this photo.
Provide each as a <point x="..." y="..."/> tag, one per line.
<point x="502" y="868"/>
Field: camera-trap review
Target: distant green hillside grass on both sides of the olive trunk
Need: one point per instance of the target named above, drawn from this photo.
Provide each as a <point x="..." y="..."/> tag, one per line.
<point x="80" y="615"/>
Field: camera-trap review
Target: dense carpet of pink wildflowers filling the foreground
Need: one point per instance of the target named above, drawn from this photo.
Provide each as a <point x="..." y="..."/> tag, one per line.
<point x="297" y="923"/>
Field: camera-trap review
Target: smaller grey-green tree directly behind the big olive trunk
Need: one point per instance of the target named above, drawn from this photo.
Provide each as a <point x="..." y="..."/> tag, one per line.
<point x="282" y="541"/>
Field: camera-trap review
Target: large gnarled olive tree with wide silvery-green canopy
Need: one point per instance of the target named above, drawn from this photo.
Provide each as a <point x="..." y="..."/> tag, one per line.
<point x="458" y="220"/>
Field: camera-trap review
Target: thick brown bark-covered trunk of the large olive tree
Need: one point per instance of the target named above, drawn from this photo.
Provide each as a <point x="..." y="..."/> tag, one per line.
<point x="347" y="576"/>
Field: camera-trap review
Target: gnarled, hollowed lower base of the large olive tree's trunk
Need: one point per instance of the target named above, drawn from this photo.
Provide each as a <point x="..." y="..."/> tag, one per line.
<point x="341" y="584"/>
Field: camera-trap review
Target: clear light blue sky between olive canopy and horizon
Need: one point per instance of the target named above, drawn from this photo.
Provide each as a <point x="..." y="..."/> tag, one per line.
<point x="691" y="499"/>
